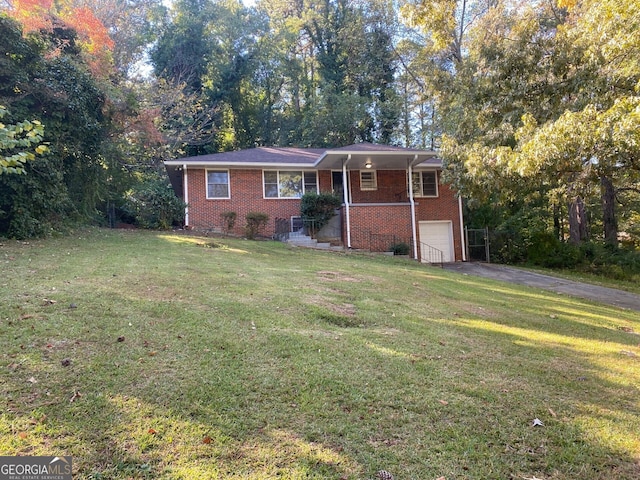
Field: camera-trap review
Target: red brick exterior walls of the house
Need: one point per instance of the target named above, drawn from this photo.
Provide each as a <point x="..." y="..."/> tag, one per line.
<point x="387" y="223"/>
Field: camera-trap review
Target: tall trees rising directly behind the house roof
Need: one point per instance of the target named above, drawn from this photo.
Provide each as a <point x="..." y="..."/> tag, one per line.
<point x="315" y="75"/>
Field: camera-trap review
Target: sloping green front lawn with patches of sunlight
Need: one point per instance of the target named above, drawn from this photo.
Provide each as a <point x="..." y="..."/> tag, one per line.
<point x="162" y="355"/>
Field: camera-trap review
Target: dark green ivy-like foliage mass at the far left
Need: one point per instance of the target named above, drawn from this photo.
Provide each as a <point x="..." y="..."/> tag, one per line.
<point x="65" y="183"/>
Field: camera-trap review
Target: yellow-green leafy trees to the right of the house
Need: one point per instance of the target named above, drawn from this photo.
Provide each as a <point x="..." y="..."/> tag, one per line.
<point x="540" y="108"/>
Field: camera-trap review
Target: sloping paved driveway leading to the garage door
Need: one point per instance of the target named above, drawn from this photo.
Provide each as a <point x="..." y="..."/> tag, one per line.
<point x="605" y="295"/>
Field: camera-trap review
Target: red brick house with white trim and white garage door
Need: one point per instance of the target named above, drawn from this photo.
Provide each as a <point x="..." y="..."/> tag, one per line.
<point x="390" y="194"/>
